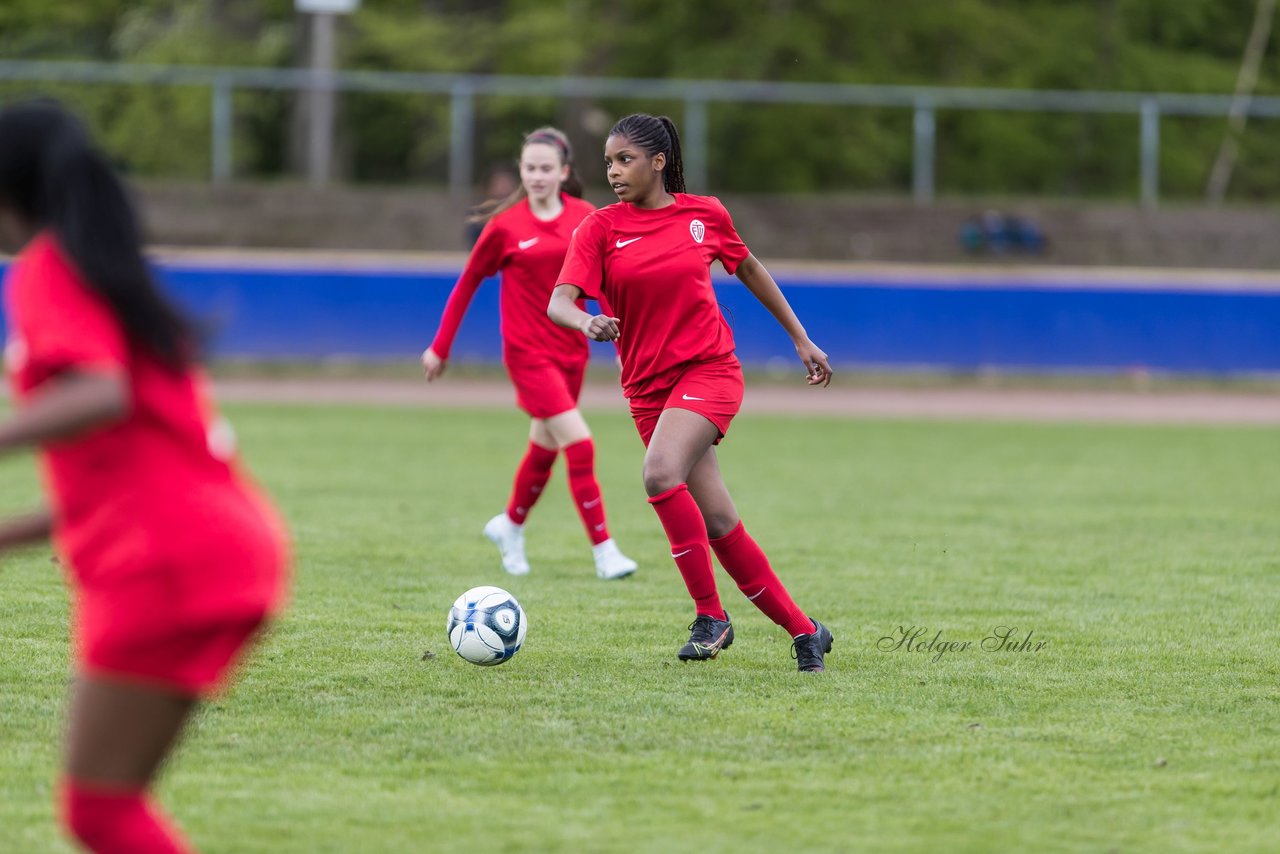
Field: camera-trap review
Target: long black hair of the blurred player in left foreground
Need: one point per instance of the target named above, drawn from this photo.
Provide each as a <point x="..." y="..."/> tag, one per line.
<point x="53" y="176"/>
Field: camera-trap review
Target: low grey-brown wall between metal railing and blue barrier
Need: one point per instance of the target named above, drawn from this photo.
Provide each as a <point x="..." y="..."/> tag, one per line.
<point x="396" y="220"/>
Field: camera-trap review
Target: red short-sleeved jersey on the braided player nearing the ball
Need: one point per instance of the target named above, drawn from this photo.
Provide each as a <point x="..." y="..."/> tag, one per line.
<point x="653" y="270"/>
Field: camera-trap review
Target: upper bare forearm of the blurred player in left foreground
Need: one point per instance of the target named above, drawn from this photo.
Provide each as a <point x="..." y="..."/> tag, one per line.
<point x="66" y="407"/>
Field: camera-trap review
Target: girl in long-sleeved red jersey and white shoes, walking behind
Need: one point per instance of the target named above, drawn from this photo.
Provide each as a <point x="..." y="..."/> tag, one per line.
<point x="527" y="238"/>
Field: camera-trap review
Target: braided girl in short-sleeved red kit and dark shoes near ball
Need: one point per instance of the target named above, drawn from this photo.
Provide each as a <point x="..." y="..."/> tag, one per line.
<point x="648" y="257"/>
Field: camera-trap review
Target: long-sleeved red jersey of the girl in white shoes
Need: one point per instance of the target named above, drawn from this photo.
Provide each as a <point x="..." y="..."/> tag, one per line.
<point x="531" y="254"/>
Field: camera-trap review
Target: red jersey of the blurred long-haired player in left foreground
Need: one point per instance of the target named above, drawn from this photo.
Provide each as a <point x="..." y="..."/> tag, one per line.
<point x="140" y="491"/>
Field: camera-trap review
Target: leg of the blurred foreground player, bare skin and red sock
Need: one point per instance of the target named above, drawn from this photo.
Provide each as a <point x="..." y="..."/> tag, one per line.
<point x="118" y="736"/>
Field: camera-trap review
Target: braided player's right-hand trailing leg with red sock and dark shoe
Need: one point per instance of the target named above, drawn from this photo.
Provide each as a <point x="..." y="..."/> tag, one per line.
<point x="749" y="568"/>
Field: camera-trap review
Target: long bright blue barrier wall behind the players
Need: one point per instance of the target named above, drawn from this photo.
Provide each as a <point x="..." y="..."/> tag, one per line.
<point x="961" y="321"/>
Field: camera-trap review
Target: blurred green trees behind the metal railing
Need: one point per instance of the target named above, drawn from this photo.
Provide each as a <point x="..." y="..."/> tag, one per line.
<point x="1148" y="45"/>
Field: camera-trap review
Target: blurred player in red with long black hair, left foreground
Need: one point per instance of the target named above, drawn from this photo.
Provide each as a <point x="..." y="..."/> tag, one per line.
<point x="175" y="561"/>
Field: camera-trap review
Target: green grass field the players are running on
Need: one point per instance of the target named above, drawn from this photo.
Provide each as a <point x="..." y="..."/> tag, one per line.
<point x="1146" y="559"/>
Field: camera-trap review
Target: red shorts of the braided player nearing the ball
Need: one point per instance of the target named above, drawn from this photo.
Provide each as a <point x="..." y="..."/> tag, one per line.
<point x="714" y="390"/>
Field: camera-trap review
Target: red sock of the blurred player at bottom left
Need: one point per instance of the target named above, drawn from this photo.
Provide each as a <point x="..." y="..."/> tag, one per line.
<point x="118" y="823"/>
